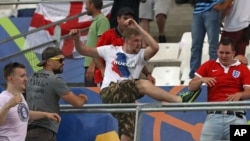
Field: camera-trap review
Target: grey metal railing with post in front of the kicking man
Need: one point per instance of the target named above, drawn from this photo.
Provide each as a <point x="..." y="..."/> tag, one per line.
<point x="155" y="107"/>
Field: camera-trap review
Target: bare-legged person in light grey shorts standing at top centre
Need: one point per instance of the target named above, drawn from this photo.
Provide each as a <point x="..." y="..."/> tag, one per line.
<point x="159" y="9"/>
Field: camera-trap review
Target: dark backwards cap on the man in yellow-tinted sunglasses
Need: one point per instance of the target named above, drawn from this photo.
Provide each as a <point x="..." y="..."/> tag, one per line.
<point x="49" y="53"/>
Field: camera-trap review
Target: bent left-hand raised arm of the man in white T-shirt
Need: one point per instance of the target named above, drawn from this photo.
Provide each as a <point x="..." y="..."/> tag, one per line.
<point x="80" y="46"/>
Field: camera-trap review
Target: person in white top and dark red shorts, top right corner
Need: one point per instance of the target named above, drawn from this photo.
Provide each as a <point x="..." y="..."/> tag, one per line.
<point x="236" y="19"/>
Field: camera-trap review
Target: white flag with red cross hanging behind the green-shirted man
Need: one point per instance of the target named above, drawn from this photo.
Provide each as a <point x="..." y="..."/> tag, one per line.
<point x="47" y="13"/>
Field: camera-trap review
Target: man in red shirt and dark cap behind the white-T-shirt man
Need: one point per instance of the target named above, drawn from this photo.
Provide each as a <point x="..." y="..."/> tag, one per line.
<point x="114" y="36"/>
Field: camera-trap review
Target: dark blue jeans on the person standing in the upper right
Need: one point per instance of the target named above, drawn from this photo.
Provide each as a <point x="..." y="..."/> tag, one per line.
<point x="206" y="22"/>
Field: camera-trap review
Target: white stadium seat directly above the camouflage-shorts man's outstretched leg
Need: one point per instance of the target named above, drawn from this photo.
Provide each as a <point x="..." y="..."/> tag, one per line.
<point x="166" y="76"/>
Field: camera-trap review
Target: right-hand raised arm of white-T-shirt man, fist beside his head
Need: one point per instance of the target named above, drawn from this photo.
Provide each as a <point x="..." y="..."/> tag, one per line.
<point x="153" y="46"/>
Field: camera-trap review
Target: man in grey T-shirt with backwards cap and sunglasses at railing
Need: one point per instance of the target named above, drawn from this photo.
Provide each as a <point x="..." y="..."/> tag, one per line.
<point x="44" y="89"/>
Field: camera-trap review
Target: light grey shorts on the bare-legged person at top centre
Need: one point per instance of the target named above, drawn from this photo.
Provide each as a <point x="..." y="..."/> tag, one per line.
<point x="152" y="8"/>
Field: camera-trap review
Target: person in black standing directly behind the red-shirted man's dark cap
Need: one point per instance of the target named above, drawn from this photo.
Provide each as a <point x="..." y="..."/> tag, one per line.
<point x="118" y="4"/>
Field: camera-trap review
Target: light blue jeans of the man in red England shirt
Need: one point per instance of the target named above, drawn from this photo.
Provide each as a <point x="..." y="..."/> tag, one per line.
<point x="217" y="126"/>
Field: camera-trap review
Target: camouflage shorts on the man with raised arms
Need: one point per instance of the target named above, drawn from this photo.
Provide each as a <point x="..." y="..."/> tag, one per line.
<point x="122" y="92"/>
